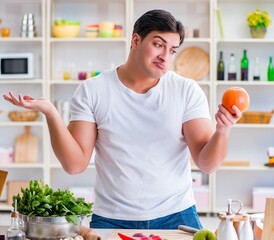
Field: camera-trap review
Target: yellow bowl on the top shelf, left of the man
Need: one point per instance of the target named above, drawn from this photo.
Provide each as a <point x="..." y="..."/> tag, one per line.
<point x="65" y="31"/>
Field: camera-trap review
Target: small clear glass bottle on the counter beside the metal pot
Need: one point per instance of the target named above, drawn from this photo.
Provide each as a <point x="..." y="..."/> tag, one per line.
<point x="16" y="232"/>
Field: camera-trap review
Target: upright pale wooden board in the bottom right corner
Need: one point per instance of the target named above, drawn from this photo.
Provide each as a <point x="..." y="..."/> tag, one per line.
<point x="268" y="230"/>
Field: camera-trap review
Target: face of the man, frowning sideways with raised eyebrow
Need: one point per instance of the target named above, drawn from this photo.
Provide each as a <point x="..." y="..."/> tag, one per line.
<point x="155" y="52"/>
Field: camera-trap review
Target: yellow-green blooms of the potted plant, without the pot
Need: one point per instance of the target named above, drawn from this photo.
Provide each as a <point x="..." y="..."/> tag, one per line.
<point x="259" y="18"/>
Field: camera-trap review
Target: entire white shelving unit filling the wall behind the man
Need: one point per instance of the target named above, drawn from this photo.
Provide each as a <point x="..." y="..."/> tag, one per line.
<point x="53" y="55"/>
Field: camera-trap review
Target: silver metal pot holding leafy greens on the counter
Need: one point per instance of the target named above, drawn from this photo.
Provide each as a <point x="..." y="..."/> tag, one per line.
<point x="50" y="227"/>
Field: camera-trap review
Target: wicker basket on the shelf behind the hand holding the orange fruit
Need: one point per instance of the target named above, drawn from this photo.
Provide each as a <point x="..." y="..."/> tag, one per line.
<point x="256" y="117"/>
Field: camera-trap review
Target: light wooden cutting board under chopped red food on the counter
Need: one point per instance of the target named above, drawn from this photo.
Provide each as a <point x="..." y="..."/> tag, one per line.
<point x="165" y="234"/>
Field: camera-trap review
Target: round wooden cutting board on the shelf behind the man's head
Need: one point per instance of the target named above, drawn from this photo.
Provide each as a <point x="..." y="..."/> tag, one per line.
<point x="192" y="62"/>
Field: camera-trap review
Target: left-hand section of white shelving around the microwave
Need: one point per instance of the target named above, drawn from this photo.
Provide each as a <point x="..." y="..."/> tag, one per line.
<point x="11" y="13"/>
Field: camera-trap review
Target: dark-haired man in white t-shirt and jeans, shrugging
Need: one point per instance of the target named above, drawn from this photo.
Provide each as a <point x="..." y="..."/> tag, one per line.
<point x="144" y="122"/>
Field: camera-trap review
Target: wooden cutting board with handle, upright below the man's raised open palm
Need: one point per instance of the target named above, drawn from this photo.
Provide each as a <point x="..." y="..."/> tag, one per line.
<point x="26" y="148"/>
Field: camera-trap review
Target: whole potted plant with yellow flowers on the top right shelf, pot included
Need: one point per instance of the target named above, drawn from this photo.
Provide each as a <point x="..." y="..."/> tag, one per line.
<point x="258" y="21"/>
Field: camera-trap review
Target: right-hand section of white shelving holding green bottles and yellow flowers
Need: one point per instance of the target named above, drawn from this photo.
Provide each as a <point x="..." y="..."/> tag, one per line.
<point x="248" y="142"/>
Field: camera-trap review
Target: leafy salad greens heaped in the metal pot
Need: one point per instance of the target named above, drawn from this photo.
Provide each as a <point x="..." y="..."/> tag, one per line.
<point x="43" y="201"/>
